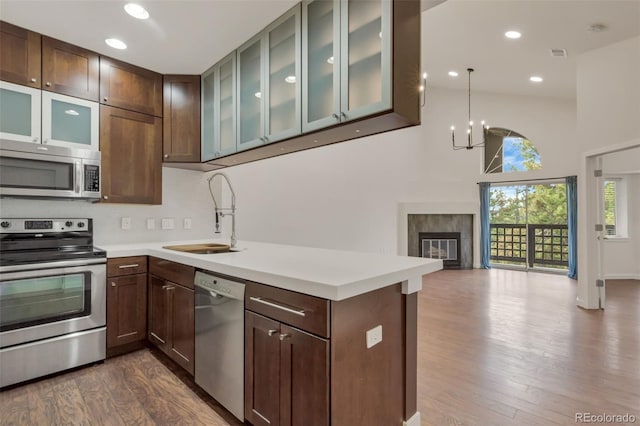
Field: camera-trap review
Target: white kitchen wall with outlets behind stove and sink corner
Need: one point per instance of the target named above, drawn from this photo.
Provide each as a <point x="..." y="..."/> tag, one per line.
<point x="185" y="194"/>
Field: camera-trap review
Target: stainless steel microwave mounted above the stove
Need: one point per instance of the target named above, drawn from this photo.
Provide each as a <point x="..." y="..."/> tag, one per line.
<point x="33" y="170"/>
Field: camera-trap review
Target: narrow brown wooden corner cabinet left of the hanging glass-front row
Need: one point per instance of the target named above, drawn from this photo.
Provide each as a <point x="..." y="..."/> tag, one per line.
<point x="181" y="119"/>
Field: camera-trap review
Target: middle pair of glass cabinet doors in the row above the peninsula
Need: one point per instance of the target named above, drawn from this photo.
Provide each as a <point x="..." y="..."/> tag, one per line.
<point x="269" y="73"/>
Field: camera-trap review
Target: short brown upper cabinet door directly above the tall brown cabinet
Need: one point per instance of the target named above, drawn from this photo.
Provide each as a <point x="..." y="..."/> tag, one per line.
<point x="130" y="87"/>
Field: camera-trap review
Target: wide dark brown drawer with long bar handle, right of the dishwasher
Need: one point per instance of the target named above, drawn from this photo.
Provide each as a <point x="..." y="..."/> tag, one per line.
<point x="309" y="313"/>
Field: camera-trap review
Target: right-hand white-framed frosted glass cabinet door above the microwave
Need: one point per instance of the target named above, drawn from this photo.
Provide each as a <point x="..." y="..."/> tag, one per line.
<point x="70" y="122"/>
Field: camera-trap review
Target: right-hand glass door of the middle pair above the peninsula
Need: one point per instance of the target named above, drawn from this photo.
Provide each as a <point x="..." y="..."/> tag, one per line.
<point x="283" y="61"/>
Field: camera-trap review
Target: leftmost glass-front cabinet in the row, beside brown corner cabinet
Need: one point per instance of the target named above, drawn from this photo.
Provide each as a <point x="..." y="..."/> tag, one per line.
<point x="219" y="109"/>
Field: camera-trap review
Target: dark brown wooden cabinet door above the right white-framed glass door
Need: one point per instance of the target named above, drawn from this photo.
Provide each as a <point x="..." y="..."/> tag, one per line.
<point x="70" y="70"/>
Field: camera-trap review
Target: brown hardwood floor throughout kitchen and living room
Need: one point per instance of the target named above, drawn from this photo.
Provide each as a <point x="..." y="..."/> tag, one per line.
<point x="495" y="347"/>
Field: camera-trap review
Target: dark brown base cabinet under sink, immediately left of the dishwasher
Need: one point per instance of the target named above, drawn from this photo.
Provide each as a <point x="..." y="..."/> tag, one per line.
<point x="171" y="311"/>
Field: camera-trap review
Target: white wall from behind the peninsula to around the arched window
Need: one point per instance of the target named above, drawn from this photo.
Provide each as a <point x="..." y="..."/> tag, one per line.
<point x="346" y="196"/>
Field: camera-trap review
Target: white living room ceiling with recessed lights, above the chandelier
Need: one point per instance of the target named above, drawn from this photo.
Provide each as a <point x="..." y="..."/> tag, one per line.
<point x="461" y="34"/>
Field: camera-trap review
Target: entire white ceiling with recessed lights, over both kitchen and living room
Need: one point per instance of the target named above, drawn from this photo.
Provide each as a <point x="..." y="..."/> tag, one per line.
<point x="188" y="36"/>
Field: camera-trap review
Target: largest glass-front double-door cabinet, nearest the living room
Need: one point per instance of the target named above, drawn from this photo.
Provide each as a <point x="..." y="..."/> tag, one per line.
<point x="346" y="60"/>
